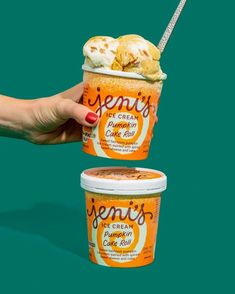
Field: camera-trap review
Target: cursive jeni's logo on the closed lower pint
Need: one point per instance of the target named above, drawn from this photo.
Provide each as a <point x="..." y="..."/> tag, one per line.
<point x="133" y="213"/>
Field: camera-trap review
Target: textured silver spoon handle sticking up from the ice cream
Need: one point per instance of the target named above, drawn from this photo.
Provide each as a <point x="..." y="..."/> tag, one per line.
<point x="166" y="36"/>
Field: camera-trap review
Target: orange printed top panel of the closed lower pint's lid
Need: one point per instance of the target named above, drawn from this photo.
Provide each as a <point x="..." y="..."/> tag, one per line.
<point x="122" y="174"/>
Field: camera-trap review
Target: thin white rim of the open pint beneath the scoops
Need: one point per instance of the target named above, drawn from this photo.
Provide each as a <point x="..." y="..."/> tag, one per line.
<point x="123" y="74"/>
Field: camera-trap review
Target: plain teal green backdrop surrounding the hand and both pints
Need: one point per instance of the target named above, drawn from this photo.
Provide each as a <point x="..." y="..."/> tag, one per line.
<point x="43" y="245"/>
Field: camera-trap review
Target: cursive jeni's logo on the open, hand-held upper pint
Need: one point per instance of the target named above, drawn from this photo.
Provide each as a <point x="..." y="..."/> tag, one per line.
<point x="140" y="104"/>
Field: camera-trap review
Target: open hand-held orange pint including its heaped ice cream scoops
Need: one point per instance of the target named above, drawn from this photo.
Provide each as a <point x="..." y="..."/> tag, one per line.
<point x="123" y="83"/>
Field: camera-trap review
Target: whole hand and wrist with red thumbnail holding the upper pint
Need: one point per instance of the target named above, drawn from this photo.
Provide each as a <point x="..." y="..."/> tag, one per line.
<point x="51" y="120"/>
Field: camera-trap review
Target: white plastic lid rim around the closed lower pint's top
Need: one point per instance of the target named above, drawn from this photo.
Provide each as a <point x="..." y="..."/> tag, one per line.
<point x="123" y="187"/>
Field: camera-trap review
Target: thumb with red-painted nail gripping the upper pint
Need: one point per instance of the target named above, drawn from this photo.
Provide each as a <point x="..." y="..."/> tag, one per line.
<point x="83" y="115"/>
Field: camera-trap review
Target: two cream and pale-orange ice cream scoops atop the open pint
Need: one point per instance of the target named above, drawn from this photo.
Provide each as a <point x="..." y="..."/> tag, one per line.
<point x="129" y="53"/>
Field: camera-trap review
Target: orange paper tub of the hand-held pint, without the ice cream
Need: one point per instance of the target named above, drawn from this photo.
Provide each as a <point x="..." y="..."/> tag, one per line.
<point x="126" y="104"/>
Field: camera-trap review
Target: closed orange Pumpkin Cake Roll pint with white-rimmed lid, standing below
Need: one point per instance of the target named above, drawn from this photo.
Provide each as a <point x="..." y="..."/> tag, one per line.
<point x="122" y="207"/>
